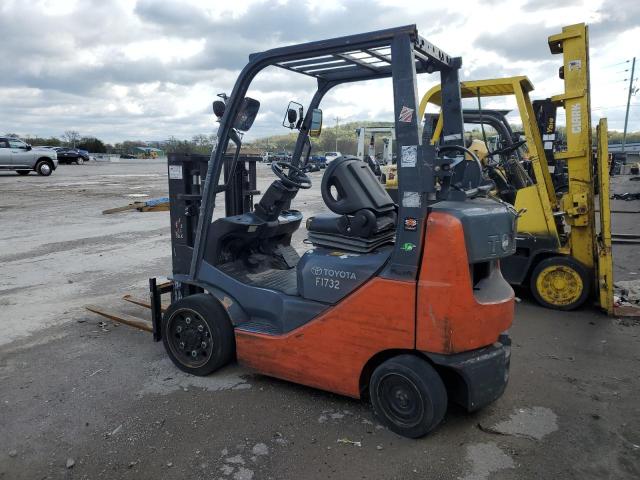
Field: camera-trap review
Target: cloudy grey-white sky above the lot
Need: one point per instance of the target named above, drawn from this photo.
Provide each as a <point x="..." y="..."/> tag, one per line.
<point x="149" y="69"/>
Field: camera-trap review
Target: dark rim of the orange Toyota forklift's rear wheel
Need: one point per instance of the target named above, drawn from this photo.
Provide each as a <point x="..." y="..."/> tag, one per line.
<point x="400" y="400"/>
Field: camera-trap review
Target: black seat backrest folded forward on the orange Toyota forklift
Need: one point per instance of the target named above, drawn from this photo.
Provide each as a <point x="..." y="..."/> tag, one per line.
<point x="349" y="185"/>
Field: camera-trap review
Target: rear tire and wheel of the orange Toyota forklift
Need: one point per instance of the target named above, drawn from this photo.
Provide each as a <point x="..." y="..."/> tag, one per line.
<point x="408" y="395"/>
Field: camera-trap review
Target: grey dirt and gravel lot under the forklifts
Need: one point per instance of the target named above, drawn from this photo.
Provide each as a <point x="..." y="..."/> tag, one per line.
<point x="85" y="399"/>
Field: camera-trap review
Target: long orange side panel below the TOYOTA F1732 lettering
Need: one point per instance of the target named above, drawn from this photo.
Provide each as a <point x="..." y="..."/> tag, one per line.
<point x="331" y="351"/>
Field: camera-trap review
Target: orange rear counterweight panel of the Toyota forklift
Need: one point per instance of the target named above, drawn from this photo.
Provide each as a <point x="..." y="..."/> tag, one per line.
<point x="449" y="317"/>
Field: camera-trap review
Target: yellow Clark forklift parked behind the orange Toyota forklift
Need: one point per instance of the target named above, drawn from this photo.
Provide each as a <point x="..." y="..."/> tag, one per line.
<point x="563" y="255"/>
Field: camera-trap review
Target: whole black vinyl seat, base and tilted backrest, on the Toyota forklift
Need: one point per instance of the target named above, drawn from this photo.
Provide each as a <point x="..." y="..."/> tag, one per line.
<point x="364" y="215"/>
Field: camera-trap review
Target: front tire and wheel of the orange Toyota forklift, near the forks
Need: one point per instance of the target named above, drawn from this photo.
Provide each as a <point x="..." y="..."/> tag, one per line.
<point x="197" y="334"/>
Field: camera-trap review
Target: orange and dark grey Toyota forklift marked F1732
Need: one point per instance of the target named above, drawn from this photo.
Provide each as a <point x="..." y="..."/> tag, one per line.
<point x="403" y="304"/>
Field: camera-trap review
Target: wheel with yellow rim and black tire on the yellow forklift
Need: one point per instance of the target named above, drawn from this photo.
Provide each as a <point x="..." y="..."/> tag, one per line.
<point x="560" y="283"/>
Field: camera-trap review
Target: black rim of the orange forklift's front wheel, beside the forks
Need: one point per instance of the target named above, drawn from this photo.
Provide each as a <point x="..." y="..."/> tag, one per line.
<point x="189" y="338"/>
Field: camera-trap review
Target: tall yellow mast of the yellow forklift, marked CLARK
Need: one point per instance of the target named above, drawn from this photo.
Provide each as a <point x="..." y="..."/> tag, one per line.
<point x="589" y="246"/>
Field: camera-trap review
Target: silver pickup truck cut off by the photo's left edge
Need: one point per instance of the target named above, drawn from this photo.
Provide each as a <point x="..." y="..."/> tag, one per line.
<point x="23" y="158"/>
